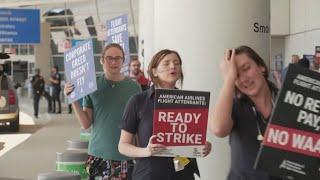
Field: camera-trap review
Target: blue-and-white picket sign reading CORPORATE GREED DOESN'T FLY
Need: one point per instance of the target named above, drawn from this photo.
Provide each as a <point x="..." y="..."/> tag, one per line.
<point x="80" y="70"/>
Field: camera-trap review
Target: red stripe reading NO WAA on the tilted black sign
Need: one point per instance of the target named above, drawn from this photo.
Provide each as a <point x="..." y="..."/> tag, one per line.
<point x="293" y="140"/>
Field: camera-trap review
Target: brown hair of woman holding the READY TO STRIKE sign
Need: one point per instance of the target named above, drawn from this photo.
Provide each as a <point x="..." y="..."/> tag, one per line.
<point x="155" y="61"/>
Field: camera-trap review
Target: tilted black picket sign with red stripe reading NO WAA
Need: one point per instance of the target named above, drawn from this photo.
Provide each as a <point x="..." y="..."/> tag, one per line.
<point x="291" y="144"/>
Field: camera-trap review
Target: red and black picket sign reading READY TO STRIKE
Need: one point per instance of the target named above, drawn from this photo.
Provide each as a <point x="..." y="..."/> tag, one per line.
<point x="180" y="122"/>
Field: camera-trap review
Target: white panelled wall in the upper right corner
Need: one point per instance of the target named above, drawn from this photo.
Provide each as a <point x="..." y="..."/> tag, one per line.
<point x="304" y="27"/>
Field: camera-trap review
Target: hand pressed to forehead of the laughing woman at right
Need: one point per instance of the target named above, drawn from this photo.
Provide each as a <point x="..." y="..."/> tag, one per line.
<point x="228" y="66"/>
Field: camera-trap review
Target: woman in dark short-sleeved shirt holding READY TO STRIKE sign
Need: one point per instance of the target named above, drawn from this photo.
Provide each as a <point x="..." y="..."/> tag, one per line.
<point x="165" y="70"/>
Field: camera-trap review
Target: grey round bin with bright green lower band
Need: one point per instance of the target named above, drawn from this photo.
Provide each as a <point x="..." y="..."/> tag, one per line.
<point x="72" y="161"/>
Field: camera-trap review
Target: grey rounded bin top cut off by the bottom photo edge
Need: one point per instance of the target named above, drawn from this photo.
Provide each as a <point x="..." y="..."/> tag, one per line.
<point x="58" y="176"/>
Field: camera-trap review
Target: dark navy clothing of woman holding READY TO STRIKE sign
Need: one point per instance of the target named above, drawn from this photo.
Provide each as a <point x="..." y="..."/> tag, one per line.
<point x="138" y="119"/>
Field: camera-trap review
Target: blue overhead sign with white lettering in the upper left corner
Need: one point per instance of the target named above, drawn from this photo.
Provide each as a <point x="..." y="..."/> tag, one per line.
<point x="20" y="26"/>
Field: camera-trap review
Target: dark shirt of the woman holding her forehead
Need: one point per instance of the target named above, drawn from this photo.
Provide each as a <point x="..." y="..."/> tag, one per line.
<point x="244" y="143"/>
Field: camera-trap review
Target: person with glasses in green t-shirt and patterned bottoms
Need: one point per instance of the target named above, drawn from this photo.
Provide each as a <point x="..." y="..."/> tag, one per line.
<point x="102" y="110"/>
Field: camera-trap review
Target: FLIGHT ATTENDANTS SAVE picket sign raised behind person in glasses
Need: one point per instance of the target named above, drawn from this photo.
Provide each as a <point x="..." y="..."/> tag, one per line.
<point x="117" y="32"/>
